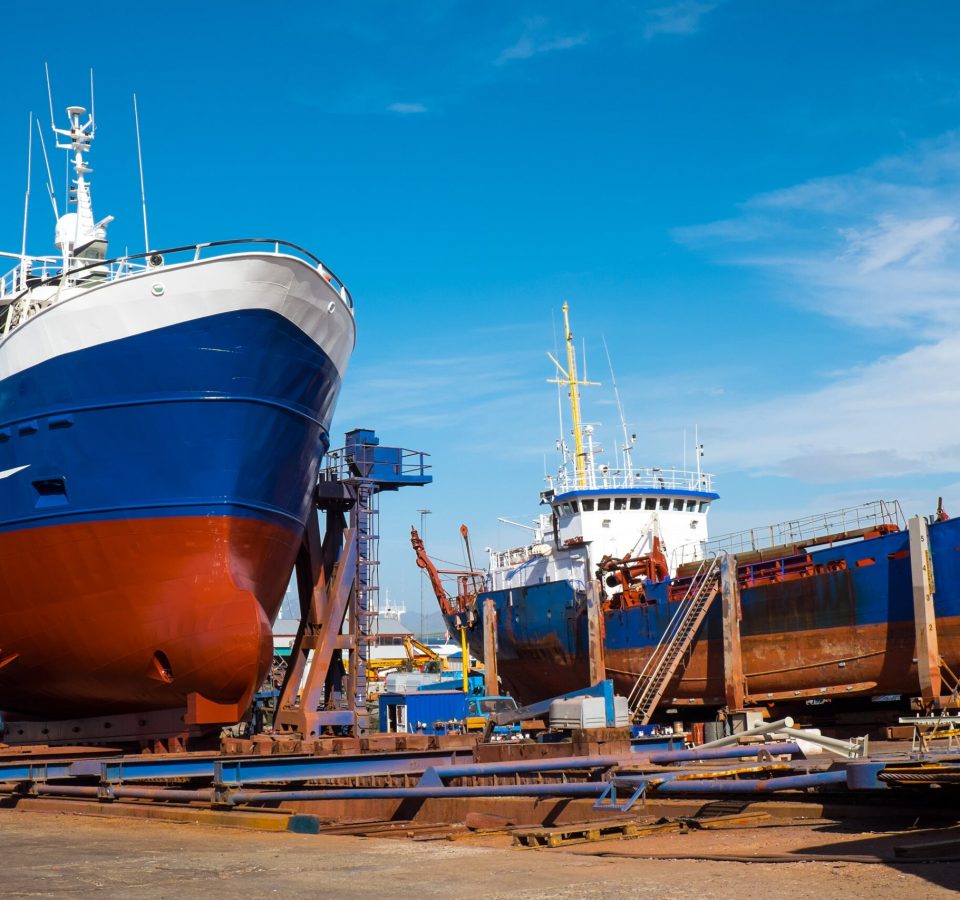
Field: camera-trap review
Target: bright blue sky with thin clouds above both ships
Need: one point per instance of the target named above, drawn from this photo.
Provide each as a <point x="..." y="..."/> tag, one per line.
<point x="755" y="204"/>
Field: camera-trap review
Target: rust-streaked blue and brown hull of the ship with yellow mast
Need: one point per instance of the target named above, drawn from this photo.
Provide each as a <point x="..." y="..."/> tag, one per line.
<point x="845" y="630"/>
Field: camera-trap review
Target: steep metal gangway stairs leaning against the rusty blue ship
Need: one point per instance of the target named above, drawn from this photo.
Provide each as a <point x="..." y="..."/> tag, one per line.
<point x="675" y="642"/>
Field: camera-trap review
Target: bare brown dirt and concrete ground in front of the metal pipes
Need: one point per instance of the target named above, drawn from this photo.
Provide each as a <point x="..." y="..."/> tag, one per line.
<point x="62" y="854"/>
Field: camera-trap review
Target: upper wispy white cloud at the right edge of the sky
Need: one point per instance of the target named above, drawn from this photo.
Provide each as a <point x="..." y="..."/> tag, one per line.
<point x="884" y="239"/>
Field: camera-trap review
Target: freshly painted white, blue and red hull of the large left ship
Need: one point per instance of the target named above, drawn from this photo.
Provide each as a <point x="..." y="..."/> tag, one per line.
<point x="160" y="438"/>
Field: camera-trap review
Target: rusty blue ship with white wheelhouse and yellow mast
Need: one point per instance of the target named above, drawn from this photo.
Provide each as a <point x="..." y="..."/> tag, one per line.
<point x="856" y="605"/>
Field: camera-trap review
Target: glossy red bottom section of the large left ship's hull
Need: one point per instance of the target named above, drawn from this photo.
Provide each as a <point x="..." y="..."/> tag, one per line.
<point x="108" y="617"/>
